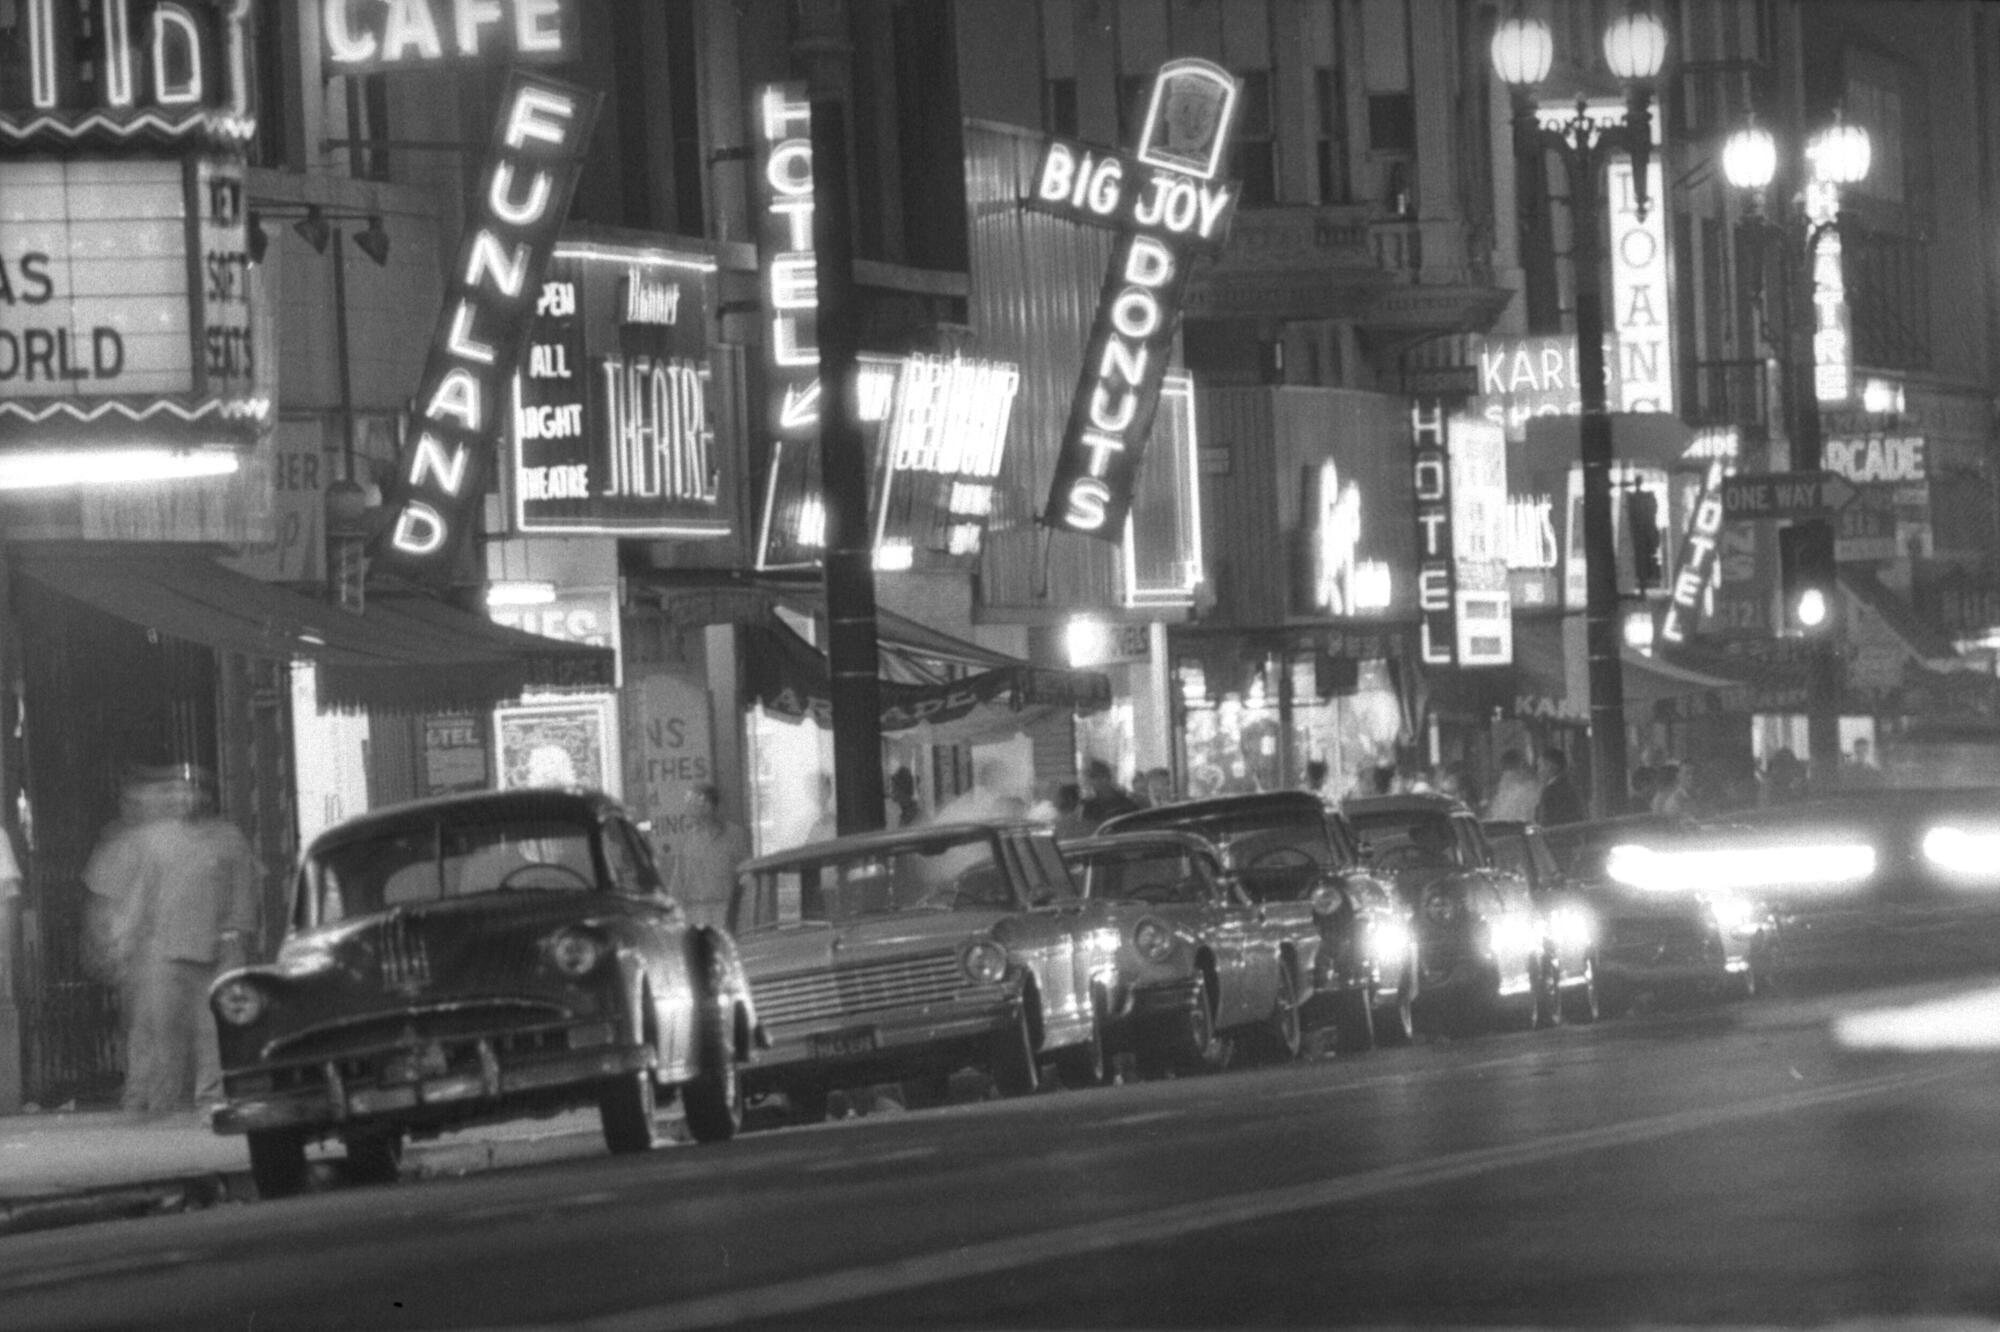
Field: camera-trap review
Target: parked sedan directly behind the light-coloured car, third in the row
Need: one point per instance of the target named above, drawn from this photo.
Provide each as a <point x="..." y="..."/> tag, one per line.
<point x="1223" y="977"/>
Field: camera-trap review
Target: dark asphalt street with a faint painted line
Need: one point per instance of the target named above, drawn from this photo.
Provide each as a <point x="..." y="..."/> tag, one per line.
<point x="1703" y="1167"/>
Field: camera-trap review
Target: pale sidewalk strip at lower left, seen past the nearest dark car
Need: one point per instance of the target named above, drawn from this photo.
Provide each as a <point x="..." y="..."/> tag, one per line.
<point x="65" y="1169"/>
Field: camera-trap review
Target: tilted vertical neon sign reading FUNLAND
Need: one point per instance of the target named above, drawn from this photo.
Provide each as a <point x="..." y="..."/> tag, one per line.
<point x="465" y="393"/>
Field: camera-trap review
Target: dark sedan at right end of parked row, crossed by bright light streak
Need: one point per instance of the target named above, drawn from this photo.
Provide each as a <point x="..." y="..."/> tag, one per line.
<point x="1667" y="927"/>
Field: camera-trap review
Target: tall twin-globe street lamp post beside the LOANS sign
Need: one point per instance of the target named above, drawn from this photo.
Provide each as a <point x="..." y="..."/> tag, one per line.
<point x="1635" y="47"/>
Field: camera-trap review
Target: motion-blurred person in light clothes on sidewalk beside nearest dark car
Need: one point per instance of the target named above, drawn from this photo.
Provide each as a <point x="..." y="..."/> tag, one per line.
<point x="191" y="913"/>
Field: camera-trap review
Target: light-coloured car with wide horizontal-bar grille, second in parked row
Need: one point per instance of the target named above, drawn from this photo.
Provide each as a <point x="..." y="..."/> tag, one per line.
<point x="919" y="953"/>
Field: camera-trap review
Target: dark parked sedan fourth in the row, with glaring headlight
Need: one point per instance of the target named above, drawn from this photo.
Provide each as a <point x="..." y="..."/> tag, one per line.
<point x="1349" y="957"/>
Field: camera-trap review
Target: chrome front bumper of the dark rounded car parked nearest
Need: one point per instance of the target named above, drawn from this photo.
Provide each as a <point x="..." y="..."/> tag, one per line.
<point x="321" y="1095"/>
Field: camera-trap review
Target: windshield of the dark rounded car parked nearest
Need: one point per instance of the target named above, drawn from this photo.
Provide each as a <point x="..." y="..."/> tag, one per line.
<point x="449" y="861"/>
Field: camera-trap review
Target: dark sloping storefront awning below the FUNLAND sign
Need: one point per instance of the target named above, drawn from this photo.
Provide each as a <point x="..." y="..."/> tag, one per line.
<point x="409" y="653"/>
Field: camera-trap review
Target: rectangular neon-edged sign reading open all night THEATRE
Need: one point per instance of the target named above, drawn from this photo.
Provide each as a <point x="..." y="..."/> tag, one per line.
<point x="613" y="403"/>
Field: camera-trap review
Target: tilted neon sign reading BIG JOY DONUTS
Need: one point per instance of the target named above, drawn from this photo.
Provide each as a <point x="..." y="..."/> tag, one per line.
<point x="1169" y="207"/>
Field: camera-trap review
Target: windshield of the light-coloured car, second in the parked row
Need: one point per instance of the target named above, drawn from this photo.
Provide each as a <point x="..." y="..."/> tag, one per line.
<point x="937" y="875"/>
